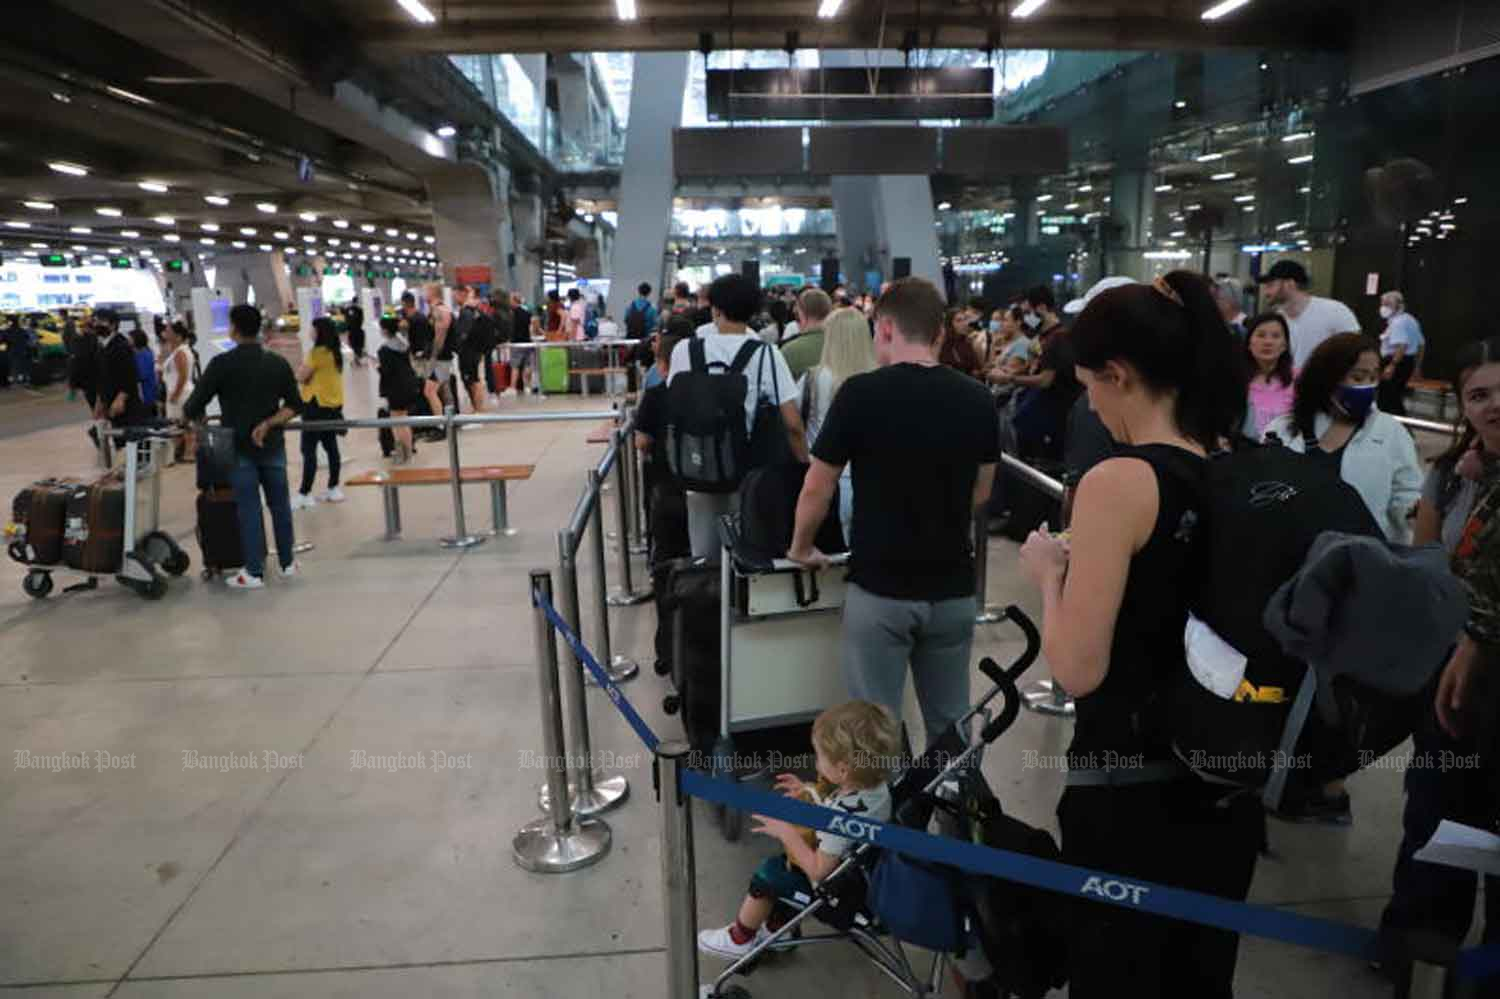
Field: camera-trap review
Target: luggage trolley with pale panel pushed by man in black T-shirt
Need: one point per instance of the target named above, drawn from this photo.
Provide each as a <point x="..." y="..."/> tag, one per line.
<point x="779" y="629"/>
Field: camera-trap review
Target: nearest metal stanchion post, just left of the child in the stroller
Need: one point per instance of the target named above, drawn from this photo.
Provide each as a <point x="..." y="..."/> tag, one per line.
<point x="679" y="872"/>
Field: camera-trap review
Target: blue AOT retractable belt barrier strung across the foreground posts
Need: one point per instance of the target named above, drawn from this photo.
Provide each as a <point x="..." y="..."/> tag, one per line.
<point x="1081" y="883"/>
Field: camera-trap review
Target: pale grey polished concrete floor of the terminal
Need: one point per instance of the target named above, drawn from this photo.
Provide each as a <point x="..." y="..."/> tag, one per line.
<point x="319" y="878"/>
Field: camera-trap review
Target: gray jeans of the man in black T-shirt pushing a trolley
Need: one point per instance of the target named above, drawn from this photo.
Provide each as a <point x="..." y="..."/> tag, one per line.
<point x="881" y="637"/>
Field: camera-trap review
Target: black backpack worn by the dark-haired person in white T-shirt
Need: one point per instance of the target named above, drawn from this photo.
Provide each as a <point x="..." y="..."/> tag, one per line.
<point x="707" y="445"/>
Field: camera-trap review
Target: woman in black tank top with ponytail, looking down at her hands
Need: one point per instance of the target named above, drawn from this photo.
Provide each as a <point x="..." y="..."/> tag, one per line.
<point x="1163" y="376"/>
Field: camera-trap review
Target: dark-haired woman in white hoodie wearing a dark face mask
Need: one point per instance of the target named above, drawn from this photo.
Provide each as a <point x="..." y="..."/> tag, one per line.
<point x="1334" y="418"/>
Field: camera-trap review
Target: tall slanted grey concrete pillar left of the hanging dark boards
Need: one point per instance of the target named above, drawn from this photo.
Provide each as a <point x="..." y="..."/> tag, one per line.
<point x="647" y="179"/>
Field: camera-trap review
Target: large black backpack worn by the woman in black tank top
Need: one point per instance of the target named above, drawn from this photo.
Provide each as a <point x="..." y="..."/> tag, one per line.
<point x="1264" y="506"/>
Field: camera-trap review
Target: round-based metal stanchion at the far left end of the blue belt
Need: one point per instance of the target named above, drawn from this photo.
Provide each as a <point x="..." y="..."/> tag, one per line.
<point x="556" y="842"/>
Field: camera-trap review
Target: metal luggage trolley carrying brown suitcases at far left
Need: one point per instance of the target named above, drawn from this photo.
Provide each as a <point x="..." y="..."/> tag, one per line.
<point x="151" y="554"/>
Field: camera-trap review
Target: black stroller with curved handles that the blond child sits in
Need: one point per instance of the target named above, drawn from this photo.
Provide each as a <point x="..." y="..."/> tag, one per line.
<point x="1006" y="940"/>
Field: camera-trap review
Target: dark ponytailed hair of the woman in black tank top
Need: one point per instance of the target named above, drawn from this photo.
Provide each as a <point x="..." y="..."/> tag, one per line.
<point x="1175" y="338"/>
